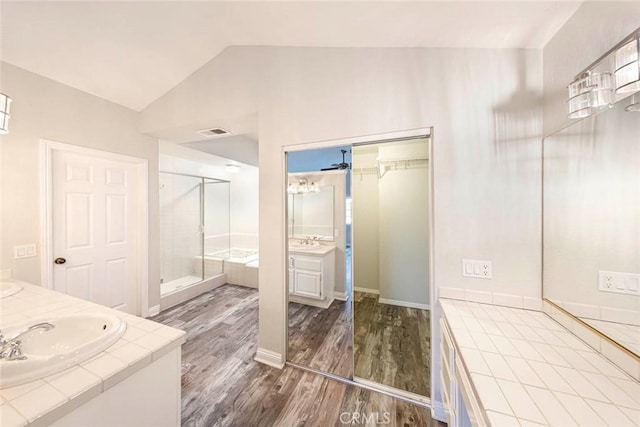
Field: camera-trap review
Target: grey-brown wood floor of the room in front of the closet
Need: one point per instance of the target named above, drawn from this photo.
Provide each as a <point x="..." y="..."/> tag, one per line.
<point x="223" y="386"/>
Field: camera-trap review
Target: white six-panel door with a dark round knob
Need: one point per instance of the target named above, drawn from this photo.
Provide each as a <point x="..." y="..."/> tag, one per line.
<point x="96" y="226"/>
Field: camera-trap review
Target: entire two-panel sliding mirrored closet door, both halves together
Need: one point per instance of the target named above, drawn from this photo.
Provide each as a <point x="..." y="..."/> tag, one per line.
<point x="358" y="221"/>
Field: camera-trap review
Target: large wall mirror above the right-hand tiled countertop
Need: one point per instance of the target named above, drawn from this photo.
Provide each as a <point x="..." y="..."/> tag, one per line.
<point x="591" y="213"/>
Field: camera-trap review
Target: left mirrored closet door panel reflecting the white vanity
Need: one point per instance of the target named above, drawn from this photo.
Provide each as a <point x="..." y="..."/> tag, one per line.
<point x="319" y="312"/>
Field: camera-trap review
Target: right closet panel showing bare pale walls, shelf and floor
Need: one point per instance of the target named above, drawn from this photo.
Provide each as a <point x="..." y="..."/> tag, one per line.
<point x="390" y="190"/>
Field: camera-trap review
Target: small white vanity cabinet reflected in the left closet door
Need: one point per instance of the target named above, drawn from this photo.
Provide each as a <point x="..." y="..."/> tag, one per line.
<point x="312" y="276"/>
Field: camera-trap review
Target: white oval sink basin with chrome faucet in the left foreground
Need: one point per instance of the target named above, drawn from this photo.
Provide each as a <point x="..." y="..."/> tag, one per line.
<point x="74" y="339"/>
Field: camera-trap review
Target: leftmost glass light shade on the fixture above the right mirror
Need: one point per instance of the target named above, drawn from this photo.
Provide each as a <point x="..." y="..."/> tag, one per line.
<point x="589" y="94"/>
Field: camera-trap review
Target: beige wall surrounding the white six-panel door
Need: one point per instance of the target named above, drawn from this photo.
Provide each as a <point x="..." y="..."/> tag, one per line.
<point x="49" y="110"/>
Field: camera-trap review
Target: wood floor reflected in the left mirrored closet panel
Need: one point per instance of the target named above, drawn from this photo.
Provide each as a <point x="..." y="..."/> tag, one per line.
<point x="322" y="338"/>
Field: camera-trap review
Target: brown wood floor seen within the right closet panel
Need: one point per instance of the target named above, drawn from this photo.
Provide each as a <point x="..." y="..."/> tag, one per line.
<point x="392" y="344"/>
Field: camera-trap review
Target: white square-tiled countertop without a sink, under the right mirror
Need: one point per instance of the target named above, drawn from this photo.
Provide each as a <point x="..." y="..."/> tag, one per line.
<point x="529" y="370"/>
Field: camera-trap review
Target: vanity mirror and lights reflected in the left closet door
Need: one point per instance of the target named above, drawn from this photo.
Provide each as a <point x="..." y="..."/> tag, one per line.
<point x="310" y="212"/>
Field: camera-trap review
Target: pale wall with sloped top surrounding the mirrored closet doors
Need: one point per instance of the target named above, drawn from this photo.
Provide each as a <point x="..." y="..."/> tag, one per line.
<point x="487" y="175"/>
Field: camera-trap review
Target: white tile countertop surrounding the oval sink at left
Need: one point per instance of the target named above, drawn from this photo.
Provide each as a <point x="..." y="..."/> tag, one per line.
<point x="42" y="401"/>
